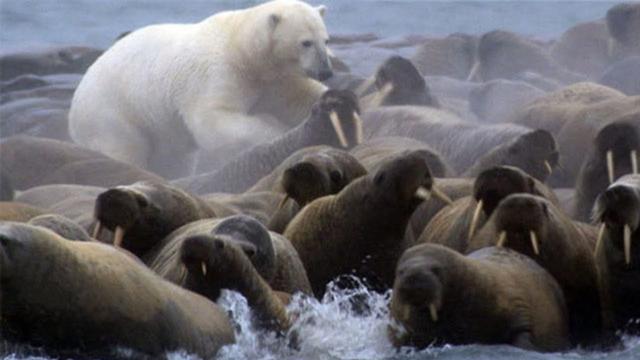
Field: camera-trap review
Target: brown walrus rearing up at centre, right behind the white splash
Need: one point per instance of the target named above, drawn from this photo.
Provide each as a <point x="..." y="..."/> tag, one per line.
<point x="365" y="222"/>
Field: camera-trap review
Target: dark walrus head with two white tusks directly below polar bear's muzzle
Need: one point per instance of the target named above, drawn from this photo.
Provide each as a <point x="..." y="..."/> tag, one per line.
<point x="336" y="118"/>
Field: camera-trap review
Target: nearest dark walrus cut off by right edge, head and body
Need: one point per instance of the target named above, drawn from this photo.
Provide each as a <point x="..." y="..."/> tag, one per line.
<point x="617" y="210"/>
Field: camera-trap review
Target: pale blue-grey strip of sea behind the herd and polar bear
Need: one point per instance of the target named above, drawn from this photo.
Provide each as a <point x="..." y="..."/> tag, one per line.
<point x="32" y="23"/>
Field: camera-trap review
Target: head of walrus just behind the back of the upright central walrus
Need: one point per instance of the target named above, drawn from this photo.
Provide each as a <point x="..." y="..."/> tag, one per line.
<point x="320" y="174"/>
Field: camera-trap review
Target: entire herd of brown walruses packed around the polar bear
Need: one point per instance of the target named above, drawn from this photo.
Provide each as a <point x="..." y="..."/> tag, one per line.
<point x="490" y="182"/>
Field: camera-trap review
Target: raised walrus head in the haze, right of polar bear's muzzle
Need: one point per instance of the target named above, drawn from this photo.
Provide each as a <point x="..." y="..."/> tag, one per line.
<point x="398" y="82"/>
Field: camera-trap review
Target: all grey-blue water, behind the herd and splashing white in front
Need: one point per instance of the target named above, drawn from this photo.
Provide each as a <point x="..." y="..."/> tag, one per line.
<point x="330" y="328"/>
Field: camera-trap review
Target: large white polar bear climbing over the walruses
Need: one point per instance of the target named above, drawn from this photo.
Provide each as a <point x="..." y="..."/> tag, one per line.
<point x="163" y="91"/>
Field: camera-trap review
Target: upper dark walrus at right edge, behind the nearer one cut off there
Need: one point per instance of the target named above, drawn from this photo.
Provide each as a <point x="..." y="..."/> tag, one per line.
<point x="615" y="152"/>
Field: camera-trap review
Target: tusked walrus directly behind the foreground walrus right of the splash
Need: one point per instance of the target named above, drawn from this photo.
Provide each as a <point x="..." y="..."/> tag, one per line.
<point x="535" y="227"/>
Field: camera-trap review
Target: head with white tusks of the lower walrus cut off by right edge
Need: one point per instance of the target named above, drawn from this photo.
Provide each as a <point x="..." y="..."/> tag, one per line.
<point x="618" y="211"/>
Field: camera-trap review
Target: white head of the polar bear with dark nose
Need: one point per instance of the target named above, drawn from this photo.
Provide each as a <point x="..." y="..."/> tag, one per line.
<point x="299" y="38"/>
